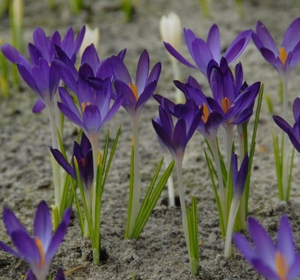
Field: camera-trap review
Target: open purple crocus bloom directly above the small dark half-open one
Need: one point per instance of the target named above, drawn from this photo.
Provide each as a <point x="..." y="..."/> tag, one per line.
<point x="94" y="103"/>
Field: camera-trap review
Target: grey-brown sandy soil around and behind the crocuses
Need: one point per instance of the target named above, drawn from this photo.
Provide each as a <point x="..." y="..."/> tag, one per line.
<point x="160" y="253"/>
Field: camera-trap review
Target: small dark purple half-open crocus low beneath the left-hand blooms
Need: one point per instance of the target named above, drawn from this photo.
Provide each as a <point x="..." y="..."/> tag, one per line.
<point x="84" y="156"/>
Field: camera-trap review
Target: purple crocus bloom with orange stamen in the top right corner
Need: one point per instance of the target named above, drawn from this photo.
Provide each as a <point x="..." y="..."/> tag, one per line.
<point x="285" y="58"/>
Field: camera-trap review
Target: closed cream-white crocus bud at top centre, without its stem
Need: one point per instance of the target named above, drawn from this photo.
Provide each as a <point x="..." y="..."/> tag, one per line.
<point x="170" y="30"/>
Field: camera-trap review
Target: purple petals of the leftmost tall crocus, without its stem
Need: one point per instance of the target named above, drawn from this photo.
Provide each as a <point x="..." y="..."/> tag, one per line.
<point x="38" y="73"/>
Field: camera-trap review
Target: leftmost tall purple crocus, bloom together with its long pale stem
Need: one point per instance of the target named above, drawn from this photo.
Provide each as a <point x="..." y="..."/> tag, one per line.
<point x="41" y="76"/>
